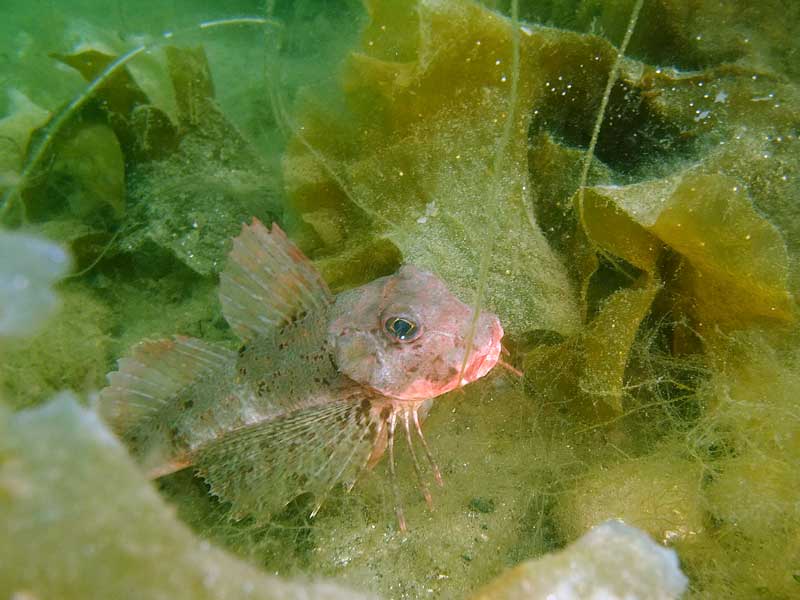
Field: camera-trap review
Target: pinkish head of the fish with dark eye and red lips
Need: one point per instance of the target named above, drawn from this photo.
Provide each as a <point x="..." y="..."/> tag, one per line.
<point x="406" y="336"/>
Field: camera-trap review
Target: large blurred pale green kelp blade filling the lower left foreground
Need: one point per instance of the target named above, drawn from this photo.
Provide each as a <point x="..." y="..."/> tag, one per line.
<point x="80" y="521"/>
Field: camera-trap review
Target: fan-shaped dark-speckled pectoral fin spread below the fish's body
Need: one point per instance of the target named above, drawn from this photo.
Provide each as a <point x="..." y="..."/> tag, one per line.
<point x="260" y="468"/>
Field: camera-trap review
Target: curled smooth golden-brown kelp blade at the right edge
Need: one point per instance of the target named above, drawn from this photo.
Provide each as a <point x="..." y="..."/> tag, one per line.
<point x="736" y="265"/>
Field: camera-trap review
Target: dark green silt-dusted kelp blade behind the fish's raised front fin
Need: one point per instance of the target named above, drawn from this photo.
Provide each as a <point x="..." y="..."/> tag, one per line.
<point x="195" y="198"/>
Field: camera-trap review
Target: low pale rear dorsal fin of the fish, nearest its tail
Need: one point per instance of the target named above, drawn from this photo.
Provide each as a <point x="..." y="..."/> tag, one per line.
<point x="153" y="373"/>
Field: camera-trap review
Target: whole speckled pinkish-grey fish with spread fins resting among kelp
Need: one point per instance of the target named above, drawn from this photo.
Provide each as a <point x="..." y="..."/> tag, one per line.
<point x="319" y="389"/>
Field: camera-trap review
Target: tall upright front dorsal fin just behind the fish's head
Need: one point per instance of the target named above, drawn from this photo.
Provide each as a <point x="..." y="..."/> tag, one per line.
<point x="267" y="282"/>
